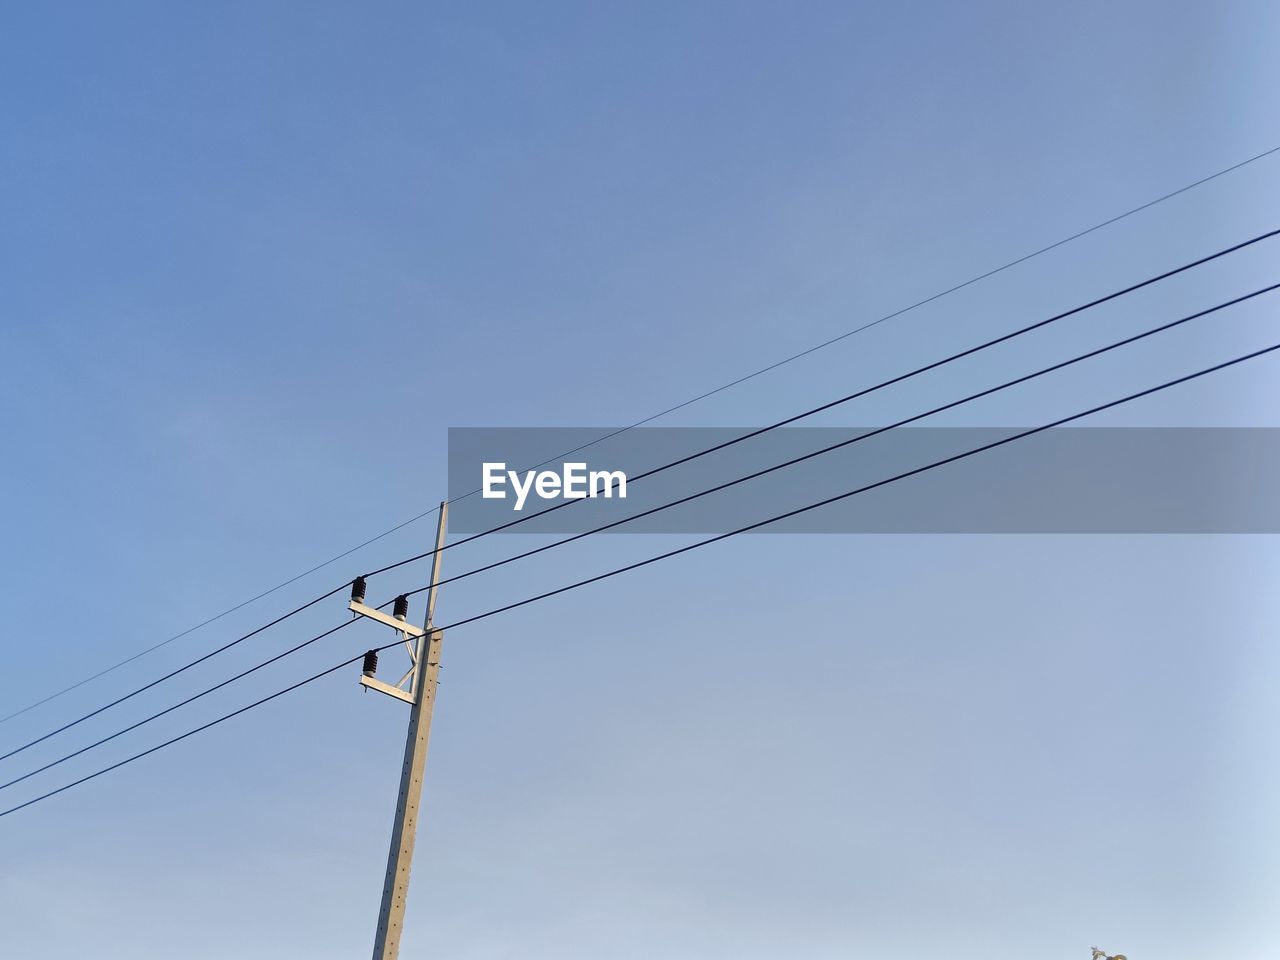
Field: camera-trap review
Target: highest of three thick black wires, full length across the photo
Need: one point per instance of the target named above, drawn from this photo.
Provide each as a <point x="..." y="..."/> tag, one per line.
<point x="688" y="459"/>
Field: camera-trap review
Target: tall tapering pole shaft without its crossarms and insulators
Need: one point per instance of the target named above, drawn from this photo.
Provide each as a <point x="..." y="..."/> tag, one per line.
<point x="400" y="861"/>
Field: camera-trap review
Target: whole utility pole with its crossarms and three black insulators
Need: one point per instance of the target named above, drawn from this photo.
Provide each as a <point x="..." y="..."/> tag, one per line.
<point x="424" y="652"/>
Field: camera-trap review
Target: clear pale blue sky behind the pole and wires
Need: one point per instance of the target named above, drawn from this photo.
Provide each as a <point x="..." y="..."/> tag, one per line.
<point x="259" y="258"/>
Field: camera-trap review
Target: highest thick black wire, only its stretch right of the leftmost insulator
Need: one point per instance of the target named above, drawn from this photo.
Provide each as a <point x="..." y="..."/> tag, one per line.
<point x="856" y="395"/>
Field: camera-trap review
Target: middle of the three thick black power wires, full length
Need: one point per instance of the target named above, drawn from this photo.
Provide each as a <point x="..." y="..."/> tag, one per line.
<point x="953" y="405"/>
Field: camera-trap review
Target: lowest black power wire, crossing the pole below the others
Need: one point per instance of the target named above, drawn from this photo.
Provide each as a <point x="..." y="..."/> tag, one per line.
<point x="669" y="555"/>
